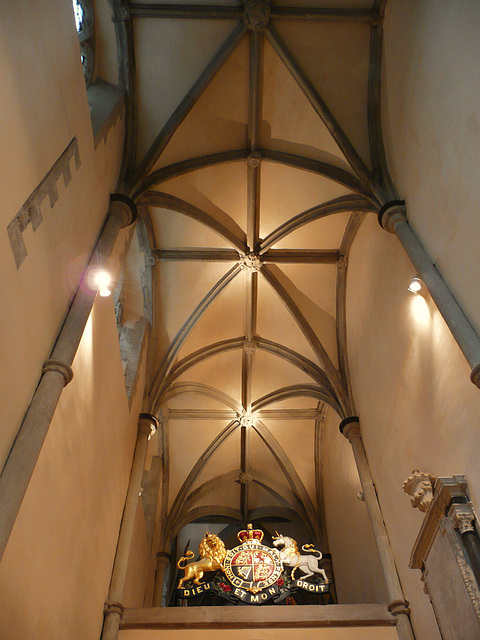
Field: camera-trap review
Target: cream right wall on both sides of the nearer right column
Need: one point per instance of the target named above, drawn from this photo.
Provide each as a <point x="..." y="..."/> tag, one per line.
<point x="417" y="406"/>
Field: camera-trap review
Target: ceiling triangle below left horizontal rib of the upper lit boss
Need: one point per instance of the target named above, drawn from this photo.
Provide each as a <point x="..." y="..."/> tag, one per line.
<point x="183" y="283"/>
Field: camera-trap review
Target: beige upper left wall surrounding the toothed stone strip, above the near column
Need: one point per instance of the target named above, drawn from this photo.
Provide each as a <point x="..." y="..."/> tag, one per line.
<point x="44" y="106"/>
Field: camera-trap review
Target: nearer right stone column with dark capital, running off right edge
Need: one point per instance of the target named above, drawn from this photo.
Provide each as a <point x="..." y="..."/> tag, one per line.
<point x="392" y="217"/>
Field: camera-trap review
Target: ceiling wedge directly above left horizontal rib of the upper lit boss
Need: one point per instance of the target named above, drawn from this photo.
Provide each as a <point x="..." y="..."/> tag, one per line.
<point x="174" y="230"/>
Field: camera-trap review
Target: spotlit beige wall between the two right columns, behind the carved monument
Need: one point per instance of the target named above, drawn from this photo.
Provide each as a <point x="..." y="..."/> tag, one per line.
<point x="417" y="406"/>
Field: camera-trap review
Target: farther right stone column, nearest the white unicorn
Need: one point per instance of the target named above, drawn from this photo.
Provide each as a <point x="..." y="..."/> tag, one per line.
<point x="398" y="606"/>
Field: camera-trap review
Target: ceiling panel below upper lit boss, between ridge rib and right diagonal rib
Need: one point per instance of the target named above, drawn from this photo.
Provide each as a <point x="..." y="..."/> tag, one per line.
<point x="275" y="323"/>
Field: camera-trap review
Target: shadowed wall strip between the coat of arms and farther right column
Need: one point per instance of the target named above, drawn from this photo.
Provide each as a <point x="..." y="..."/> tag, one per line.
<point x="358" y="573"/>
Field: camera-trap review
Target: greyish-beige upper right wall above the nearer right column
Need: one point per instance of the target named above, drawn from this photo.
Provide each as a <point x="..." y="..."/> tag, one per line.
<point x="431" y="121"/>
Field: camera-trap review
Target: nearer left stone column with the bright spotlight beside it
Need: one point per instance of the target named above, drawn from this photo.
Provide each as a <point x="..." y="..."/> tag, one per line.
<point x="57" y="372"/>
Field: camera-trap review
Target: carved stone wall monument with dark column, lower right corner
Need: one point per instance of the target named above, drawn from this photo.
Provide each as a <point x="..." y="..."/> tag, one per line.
<point x="447" y="551"/>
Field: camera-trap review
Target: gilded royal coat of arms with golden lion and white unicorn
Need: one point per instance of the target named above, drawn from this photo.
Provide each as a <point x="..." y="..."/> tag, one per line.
<point x="254" y="570"/>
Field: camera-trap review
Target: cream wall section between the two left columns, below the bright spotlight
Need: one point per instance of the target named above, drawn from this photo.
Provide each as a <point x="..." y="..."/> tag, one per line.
<point x="55" y="573"/>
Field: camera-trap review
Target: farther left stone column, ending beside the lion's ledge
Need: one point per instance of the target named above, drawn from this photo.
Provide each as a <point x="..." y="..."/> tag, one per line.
<point x="147" y="425"/>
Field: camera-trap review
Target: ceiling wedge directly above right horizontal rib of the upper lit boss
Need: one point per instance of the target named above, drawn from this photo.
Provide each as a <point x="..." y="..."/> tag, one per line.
<point x="326" y="233"/>
